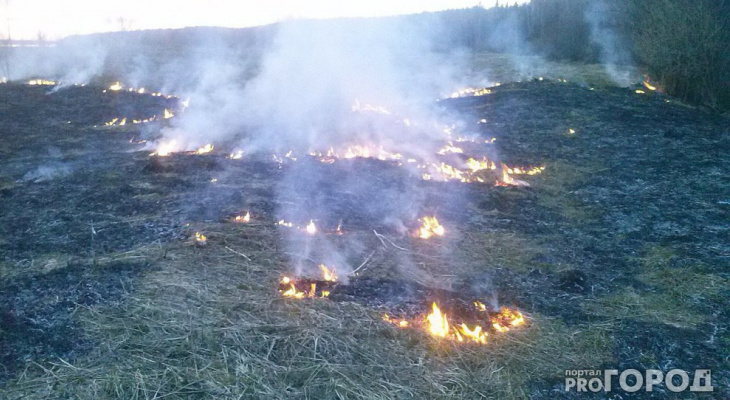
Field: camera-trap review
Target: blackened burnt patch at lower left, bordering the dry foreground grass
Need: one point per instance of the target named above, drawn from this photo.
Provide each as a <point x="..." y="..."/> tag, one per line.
<point x="37" y="312"/>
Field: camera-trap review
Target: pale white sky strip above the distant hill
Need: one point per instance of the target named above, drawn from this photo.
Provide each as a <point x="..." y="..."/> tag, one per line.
<point x="54" y="19"/>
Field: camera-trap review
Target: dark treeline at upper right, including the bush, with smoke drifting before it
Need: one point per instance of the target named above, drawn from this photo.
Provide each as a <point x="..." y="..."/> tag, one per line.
<point x="683" y="45"/>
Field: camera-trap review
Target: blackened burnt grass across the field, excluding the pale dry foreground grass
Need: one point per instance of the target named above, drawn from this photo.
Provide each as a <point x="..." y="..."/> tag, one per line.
<point x="629" y="224"/>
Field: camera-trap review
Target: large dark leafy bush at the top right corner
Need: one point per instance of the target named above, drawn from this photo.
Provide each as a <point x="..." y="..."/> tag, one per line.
<point x="684" y="45"/>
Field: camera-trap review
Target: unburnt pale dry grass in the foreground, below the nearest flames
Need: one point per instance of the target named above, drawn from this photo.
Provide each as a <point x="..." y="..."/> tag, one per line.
<point x="209" y="323"/>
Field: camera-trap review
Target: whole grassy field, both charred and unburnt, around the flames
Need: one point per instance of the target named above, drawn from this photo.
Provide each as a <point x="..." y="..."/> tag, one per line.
<point x="618" y="252"/>
